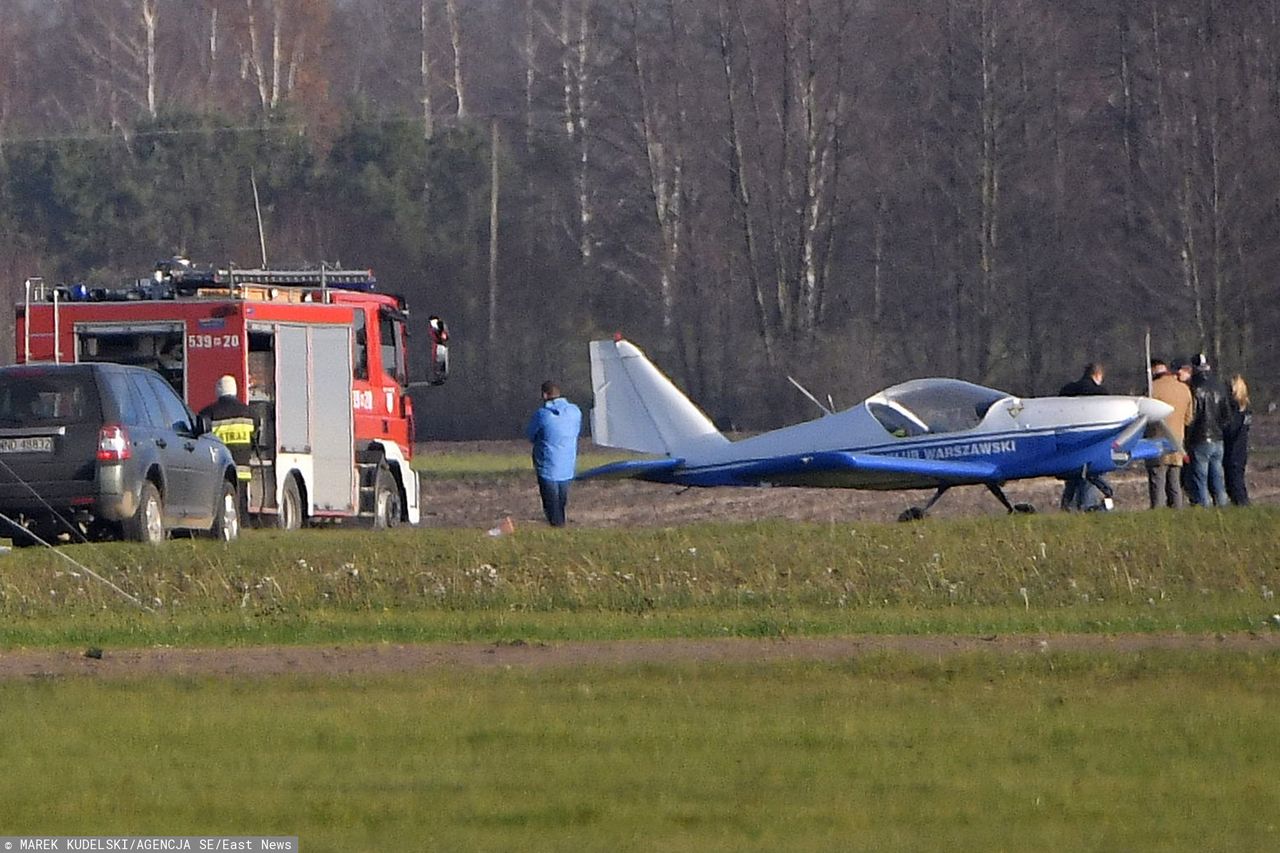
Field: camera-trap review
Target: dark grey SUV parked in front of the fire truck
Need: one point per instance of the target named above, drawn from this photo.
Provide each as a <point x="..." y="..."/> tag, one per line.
<point x="104" y="450"/>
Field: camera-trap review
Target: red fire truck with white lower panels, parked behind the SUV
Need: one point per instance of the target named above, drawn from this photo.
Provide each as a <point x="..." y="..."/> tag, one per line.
<point x="319" y="355"/>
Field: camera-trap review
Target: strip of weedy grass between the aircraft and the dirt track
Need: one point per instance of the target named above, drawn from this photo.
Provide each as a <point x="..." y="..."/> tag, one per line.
<point x="1127" y="572"/>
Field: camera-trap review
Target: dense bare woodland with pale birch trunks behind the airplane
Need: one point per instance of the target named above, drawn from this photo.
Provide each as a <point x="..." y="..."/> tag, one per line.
<point x="853" y="193"/>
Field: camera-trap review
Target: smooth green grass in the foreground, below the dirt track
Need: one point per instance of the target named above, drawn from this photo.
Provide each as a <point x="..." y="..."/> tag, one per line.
<point x="1048" y="752"/>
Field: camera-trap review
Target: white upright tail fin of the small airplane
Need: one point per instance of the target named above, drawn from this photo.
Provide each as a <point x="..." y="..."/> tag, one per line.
<point x="639" y="409"/>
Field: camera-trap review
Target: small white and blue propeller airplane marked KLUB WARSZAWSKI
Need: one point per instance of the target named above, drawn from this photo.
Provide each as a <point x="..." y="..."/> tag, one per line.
<point x="921" y="435"/>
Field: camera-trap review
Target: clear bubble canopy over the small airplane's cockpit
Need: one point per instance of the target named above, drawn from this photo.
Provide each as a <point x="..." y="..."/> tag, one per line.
<point x="925" y="407"/>
